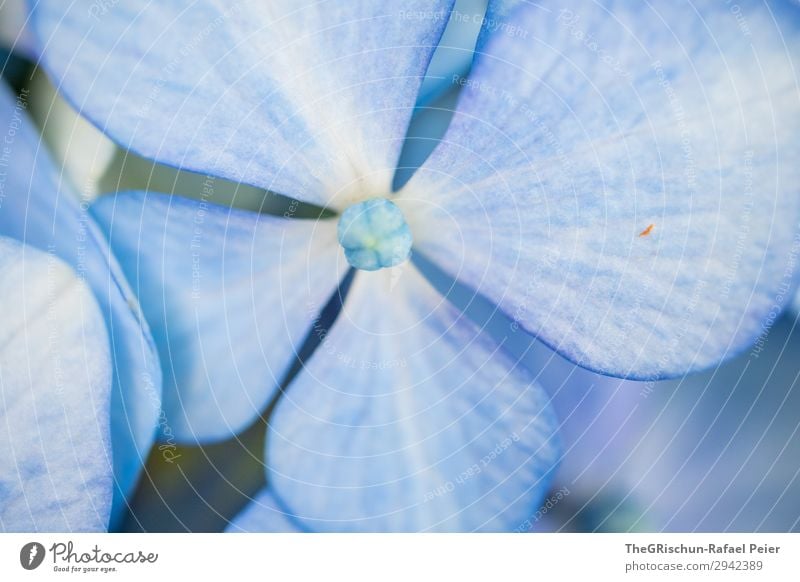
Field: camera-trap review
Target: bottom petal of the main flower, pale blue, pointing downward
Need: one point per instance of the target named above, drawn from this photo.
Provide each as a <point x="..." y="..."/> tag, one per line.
<point x="409" y="418"/>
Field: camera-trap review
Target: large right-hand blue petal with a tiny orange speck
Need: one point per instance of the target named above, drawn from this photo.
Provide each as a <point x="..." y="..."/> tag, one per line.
<point x="622" y="181"/>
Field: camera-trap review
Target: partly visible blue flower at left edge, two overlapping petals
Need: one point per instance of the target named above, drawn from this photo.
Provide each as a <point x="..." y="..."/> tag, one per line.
<point x="78" y="417"/>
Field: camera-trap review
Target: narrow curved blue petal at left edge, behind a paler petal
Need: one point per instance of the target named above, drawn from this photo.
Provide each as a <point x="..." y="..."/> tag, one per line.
<point x="39" y="208"/>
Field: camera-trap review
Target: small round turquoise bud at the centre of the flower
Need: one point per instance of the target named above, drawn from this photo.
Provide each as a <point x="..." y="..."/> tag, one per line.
<point x="374" y="235"/>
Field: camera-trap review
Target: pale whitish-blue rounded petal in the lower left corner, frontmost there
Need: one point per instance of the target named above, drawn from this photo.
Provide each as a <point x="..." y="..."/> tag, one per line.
<point x="55" y="387"/>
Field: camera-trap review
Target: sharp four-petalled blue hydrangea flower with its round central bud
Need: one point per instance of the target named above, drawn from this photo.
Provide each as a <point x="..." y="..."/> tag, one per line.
<point x="618" y="179"/>
